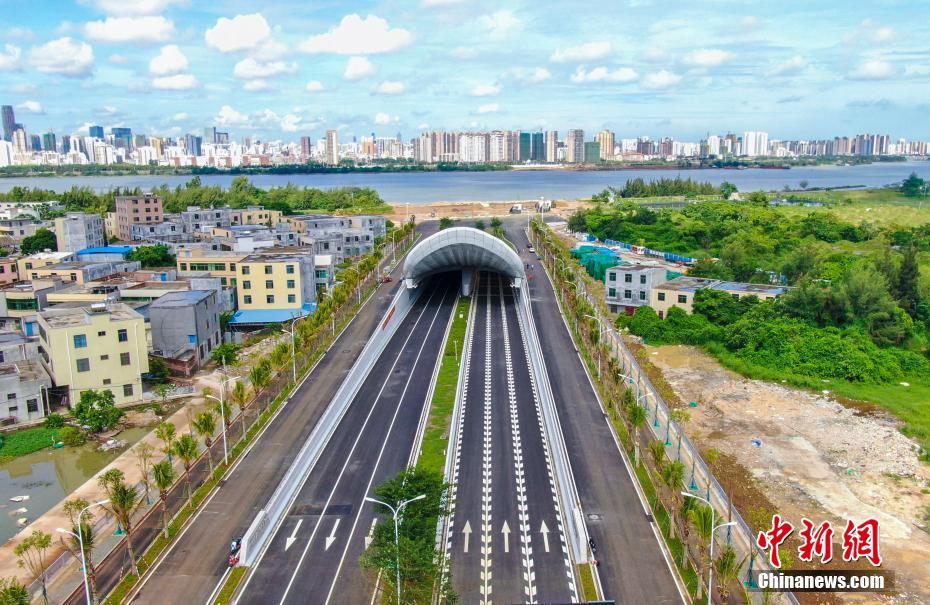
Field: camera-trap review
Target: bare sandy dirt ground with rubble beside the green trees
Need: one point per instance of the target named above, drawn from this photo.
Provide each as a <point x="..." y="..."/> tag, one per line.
<point x="817" y="459"/>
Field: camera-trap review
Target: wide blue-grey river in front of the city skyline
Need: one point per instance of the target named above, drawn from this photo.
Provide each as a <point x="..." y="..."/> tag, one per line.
<point x="427" y="187"/>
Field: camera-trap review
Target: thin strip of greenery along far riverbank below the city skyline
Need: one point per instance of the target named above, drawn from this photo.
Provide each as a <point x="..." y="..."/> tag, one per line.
<point x="347" y="167"/>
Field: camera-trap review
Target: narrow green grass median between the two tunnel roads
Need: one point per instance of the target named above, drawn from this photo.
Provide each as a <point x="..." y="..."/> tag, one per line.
<point x="436" y="436"/>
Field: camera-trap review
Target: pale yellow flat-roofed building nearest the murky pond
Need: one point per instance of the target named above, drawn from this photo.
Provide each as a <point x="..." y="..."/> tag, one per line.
<point x="98" y="346"/>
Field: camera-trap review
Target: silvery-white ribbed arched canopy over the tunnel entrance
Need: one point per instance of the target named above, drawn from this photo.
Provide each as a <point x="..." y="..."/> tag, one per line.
<point x="466" y="249"/>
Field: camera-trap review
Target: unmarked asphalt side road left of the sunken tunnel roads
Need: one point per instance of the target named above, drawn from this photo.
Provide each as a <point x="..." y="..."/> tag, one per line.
<point x="198" y="559"/>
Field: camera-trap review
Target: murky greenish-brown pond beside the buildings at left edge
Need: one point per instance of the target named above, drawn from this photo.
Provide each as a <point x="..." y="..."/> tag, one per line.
<point x="49" y="475"/>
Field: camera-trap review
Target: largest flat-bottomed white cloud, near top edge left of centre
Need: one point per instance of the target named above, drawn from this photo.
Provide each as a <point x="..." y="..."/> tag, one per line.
<point x="357" y="36"/>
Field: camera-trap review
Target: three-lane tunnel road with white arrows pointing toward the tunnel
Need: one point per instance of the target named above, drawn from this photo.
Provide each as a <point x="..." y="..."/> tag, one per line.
<point x="506" y="540"/>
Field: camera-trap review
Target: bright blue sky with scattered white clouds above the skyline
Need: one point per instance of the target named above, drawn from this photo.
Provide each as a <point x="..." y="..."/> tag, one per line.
<point x="797" y="69"/>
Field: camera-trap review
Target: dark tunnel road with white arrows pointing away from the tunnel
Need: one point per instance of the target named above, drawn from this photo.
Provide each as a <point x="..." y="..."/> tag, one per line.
<point x="313" y="557"/>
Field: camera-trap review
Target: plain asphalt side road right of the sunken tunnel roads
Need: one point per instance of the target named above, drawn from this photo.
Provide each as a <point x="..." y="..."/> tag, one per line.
<point x="633" y="567"/>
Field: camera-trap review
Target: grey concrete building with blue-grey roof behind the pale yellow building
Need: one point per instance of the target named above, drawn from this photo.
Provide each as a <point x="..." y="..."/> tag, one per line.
<point x="186" y="326"/>
